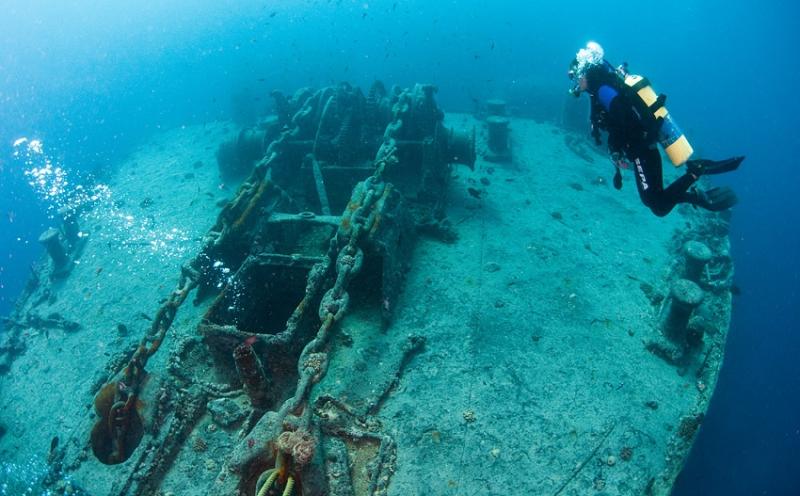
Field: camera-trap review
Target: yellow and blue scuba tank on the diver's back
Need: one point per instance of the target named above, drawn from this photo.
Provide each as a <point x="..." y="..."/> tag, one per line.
<point x="670" y="135"/>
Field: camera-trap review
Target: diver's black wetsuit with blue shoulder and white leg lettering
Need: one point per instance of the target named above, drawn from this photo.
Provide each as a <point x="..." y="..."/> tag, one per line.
<point x="613" y="111"/>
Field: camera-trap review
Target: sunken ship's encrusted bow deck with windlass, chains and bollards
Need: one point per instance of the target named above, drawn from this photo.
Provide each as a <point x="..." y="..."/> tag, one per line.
<point x="343" y="309"/>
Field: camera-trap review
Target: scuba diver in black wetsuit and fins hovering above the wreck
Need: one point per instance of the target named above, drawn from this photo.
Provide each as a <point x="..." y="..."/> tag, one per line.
<point x="636" y="120"/>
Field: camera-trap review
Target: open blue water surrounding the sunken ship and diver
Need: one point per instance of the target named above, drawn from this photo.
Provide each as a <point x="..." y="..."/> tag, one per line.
<point x="94" y="79"/>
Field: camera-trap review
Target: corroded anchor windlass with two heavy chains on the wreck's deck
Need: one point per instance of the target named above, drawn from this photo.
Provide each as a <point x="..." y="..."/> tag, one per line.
<point x="322" y="227"/>
